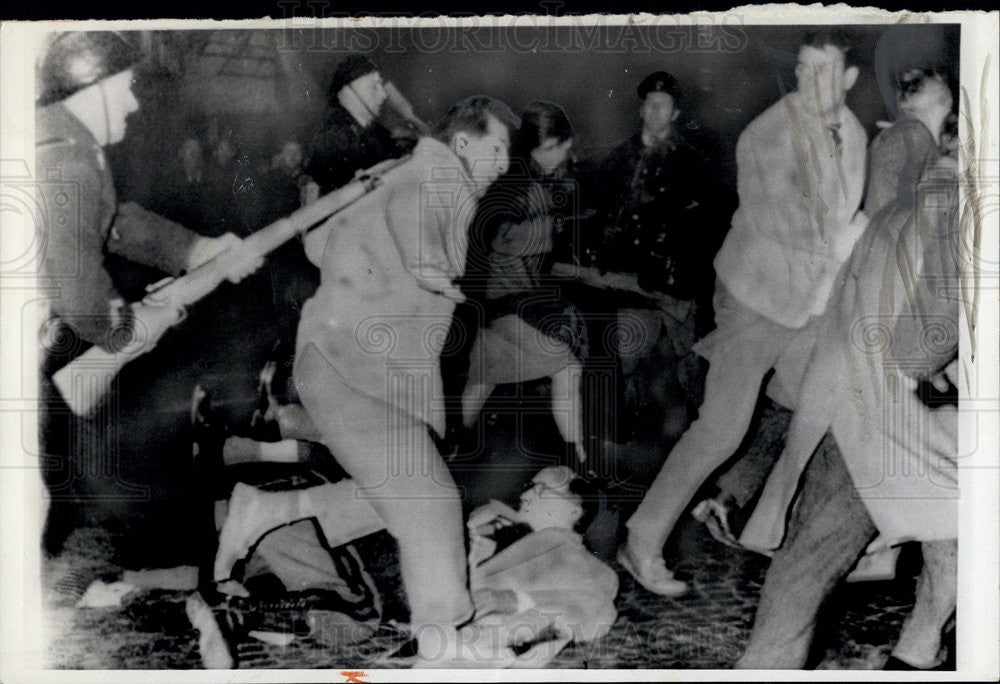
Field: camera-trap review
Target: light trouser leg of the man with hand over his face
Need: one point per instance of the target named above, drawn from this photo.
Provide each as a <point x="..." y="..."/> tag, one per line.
<point x="731" y="391"/>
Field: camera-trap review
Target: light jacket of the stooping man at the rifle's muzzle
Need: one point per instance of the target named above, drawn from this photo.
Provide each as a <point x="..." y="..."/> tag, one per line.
<point x="384" y="305"/>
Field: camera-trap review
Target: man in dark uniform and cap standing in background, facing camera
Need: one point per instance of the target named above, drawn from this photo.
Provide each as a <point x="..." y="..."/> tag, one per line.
<point x="664" y="222"/>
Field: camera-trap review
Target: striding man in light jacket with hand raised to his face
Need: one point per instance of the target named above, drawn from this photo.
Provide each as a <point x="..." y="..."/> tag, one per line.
<point x="800" y="176"/>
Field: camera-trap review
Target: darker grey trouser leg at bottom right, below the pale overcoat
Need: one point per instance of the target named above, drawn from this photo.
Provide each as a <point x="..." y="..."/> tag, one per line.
<point x="830" y="527"/>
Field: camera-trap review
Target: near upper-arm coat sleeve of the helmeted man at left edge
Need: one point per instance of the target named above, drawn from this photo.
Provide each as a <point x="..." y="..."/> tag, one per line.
<point x="74" y="257"/>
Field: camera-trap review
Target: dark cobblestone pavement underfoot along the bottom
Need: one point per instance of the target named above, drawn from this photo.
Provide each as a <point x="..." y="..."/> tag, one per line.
<point x="708" y="628"/>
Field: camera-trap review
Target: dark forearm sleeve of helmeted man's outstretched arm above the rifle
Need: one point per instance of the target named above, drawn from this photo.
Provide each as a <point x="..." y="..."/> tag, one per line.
<point x="149" y="239"/>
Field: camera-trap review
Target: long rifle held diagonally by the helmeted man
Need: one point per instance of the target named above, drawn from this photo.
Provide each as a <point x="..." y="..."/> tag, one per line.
<point x="85" y="380"/>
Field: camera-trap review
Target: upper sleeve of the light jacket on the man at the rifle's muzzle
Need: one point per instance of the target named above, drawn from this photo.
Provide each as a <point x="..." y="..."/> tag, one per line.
<point x="422" y="238"/>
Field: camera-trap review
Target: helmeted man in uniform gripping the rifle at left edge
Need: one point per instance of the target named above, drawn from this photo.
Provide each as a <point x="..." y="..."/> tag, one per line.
<point x="85" y="99"/>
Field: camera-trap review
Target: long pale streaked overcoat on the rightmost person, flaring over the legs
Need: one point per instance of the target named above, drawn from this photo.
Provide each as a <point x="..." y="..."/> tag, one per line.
<point x="893" y="318"/>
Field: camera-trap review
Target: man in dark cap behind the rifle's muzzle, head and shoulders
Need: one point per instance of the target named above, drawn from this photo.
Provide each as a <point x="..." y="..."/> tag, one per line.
<point x="352" y="138"/>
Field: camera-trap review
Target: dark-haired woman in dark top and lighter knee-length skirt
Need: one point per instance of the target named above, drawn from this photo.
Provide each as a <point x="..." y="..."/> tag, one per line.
<point x="529" y="331"/>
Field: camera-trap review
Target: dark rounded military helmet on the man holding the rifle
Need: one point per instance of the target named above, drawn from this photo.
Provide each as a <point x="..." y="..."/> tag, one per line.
<point x="78" y="59"/>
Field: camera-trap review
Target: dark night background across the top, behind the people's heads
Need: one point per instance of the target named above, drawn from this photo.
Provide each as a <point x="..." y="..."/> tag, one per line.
<point x="729" y="74"/>
